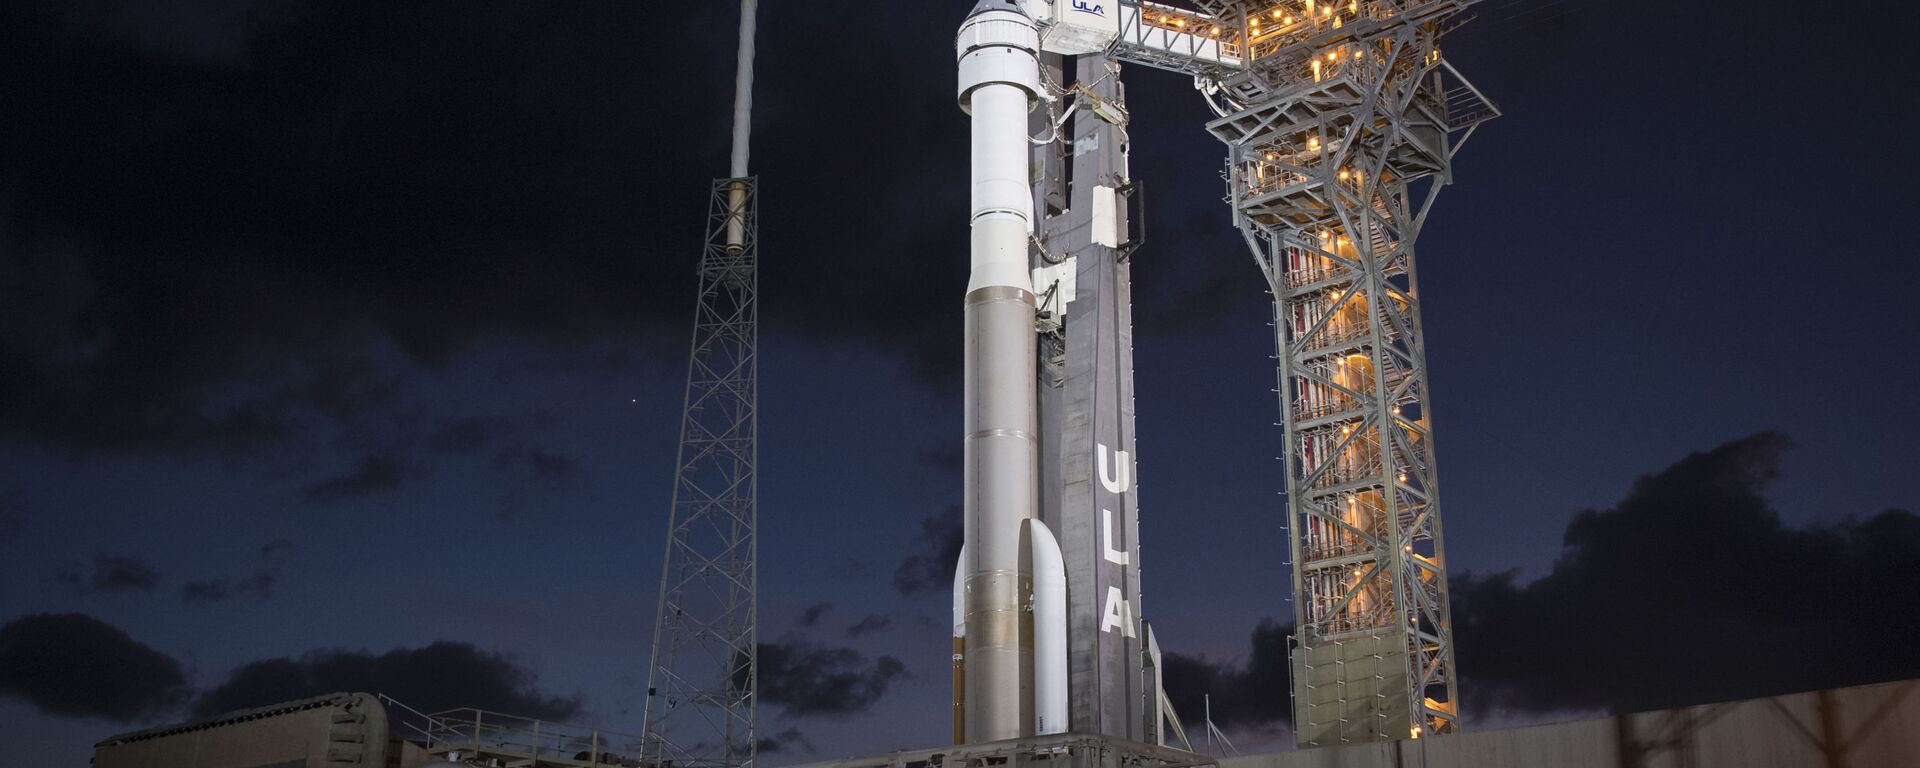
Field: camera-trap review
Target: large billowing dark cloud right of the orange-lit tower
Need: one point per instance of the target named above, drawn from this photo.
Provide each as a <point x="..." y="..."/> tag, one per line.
<point x="1692" y="590"/>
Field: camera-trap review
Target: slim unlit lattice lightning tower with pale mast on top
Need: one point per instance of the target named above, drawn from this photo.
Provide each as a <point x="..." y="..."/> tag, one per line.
<point x="702" y="683"/>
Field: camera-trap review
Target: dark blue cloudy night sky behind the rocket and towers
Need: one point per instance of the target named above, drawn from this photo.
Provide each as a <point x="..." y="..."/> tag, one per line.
<point x="343" y="348"/>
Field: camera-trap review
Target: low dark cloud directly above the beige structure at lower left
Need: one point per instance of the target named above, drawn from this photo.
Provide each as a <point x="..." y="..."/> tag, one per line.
<point x="429" y="679"/>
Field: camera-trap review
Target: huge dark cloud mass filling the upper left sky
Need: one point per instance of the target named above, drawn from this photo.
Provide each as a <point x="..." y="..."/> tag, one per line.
<point x="308" y="185"/>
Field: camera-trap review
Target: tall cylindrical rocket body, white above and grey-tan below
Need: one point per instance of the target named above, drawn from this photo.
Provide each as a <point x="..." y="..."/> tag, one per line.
<point x="999" y="85"/>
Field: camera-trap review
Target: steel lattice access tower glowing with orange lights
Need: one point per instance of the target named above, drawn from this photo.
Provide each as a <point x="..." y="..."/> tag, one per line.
<point x="1335" y="156"/>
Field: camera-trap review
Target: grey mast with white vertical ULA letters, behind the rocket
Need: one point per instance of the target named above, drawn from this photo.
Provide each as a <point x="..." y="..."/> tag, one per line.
<point x="1086" y="387"/>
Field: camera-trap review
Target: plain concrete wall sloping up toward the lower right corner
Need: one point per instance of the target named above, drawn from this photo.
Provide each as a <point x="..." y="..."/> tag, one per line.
<point x="1869" y="727"/>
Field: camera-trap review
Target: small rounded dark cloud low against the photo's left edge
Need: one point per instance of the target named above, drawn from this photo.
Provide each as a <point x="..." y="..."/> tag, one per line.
<point x="80" y="667"/>
